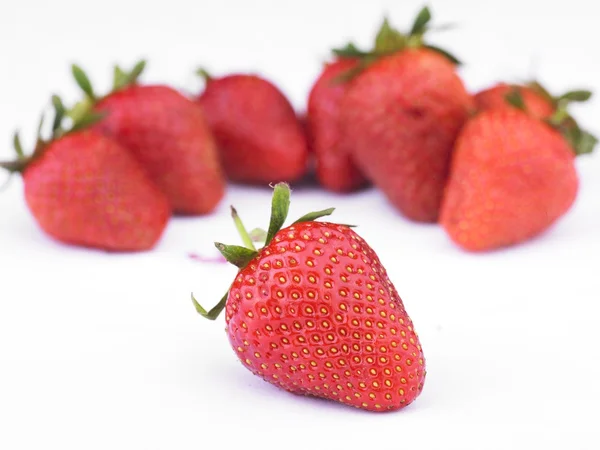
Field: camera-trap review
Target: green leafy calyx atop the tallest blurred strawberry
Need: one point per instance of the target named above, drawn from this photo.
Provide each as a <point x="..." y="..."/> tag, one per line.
<point x="389" y="41"/>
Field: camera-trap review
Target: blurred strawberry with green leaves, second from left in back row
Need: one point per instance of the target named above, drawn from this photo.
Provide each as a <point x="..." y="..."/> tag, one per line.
<point x="166" y="133"/>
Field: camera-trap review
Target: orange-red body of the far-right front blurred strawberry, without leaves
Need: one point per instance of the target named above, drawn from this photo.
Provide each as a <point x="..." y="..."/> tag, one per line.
<point x="512" y="177"/>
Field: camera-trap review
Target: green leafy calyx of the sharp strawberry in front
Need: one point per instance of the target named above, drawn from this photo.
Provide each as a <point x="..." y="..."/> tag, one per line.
<point x="240" y="256"/>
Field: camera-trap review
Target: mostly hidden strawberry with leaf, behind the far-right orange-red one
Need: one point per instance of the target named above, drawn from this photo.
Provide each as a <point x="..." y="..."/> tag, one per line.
<point x="531" y="97"/>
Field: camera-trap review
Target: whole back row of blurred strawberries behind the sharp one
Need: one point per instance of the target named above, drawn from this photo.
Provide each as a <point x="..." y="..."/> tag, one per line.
<point x="494" y="169"/>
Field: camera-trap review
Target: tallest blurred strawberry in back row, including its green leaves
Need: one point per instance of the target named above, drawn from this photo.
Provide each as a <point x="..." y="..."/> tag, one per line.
<point x="400" y="116"/>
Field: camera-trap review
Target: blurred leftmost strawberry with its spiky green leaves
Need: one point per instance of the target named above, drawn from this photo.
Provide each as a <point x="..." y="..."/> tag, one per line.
<point x="83" y="188"/>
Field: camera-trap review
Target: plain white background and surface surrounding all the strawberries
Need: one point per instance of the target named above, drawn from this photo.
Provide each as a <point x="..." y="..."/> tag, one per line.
<point x="103" y="351"/>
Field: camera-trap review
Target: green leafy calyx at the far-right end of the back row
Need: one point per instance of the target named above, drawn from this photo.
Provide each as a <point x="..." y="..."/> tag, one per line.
<point x="580" y="140"/>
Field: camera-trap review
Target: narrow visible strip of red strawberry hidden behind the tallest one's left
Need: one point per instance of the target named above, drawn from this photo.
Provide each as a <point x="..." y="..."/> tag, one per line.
<point x="335" y="169"/>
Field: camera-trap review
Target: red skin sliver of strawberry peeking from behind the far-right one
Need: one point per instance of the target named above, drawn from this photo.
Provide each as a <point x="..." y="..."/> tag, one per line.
<point x="495" y="98"/>
